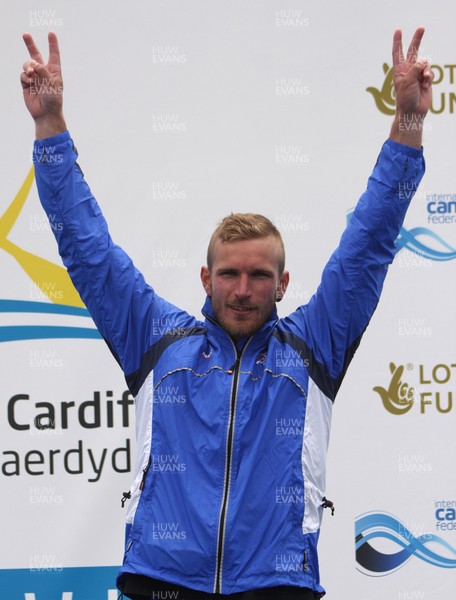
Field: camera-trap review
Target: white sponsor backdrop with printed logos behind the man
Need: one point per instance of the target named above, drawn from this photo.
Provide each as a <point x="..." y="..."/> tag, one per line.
<point x="183" y="112"/>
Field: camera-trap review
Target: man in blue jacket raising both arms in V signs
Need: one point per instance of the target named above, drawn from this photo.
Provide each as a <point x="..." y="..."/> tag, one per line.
<point x="241" y="371"/>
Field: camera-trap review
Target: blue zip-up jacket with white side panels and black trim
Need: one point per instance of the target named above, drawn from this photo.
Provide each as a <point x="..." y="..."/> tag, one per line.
<point x="230" y="474"/>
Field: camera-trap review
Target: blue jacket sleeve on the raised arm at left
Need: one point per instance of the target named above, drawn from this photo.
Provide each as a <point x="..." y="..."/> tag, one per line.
<point x="127" y="312"/>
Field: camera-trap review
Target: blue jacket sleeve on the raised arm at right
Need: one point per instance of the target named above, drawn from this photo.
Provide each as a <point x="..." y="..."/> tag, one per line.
<point x="337" y="315"/>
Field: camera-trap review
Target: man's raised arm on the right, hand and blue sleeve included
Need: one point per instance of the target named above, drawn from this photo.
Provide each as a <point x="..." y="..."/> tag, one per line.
<point x="339" y="312"/>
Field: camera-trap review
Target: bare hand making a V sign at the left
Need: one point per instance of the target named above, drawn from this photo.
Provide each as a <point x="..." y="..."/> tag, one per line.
<point x="43" y="88"/>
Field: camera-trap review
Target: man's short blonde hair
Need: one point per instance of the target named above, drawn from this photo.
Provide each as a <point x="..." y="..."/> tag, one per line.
<point x="245" y="226"/>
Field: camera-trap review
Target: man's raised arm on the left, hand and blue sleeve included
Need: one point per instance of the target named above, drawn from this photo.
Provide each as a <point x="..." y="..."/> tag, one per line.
<point x="128" y="313"/>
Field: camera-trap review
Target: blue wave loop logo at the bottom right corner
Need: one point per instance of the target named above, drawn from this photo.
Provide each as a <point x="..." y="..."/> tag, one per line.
<point x="375" y="533"/>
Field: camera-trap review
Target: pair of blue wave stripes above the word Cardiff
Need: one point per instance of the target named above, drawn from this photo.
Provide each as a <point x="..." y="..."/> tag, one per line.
<point x="13" y="333"/>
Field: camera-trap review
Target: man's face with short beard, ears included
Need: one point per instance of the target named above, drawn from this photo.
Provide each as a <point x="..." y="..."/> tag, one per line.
<point x="244" y="283"/>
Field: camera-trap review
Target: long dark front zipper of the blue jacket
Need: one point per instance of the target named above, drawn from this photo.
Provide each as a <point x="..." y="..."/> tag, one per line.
<point x="235" y="370"/>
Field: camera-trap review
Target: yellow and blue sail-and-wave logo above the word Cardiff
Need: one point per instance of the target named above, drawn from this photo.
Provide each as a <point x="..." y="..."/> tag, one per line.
<point x="50" y="283"/>
